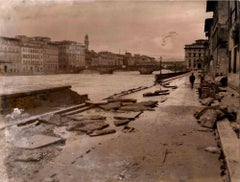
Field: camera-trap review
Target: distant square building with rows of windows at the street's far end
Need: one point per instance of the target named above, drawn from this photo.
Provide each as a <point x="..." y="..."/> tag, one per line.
<point x="195" y="54"/>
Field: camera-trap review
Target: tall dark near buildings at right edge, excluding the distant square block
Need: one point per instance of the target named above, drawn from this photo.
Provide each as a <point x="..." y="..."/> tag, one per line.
<point x="222" y="31"/>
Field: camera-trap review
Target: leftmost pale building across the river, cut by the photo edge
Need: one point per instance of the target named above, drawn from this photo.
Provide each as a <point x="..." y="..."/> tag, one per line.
<point x="10" y="60"/>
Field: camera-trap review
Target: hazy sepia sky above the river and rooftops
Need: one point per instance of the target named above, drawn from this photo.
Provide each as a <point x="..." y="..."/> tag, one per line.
<point x="154" y="28"/>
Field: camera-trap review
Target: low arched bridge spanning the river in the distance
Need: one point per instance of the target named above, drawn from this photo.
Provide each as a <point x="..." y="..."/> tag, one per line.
<point x="143" y="69"/>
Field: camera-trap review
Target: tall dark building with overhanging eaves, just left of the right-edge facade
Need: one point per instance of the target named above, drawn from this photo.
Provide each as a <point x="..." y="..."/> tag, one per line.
<point x="217" y="32"/>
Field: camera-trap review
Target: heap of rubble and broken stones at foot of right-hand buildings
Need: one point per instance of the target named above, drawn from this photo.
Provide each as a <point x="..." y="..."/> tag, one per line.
<point x="219" y="104"/>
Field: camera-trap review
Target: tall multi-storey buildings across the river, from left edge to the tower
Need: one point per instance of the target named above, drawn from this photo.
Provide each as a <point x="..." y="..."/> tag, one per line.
<point x="23" y="54"/>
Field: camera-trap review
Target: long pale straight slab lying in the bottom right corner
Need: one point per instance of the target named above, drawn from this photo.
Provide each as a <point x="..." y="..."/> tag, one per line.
<point x="231" y="149"/>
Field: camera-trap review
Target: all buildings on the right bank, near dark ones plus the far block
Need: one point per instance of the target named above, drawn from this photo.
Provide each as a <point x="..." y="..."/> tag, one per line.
<point x="219" y="54"/>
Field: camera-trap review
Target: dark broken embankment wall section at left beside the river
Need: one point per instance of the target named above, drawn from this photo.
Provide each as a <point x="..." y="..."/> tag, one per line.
<point x="41" y="100"/>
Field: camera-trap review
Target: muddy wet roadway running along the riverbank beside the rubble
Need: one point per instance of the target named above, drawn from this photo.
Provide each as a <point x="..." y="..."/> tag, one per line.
<point x="166" y="145"/>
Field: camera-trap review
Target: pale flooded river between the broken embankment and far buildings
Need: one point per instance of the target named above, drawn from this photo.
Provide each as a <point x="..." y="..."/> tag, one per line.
<point x="95" y="85"/>
